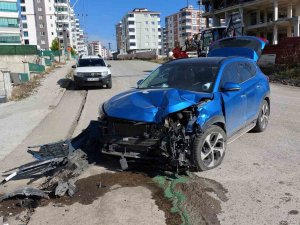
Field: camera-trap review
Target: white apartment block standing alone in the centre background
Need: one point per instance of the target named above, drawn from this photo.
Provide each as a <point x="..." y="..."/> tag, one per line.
<point x="141" y="30"/>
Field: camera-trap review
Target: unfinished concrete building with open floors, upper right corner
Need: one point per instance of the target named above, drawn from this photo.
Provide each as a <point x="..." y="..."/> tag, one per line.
<point x="271" y="19"/>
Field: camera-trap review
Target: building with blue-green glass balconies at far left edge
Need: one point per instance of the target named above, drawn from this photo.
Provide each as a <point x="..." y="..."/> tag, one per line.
<point x="9" y="22"/>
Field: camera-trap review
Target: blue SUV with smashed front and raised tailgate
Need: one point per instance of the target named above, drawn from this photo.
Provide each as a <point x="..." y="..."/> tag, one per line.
<point x="188" y="110"/>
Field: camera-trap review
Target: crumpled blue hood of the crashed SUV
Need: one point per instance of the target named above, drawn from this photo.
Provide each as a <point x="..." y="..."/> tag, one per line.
<point x="151" y="105"/>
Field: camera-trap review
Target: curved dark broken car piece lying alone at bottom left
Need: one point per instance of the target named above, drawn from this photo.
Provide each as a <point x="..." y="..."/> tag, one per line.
<point x="26" y="192"/>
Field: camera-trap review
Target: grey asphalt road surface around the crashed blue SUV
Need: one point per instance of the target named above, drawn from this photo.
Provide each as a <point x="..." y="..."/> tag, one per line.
<point x="261" y="172"/>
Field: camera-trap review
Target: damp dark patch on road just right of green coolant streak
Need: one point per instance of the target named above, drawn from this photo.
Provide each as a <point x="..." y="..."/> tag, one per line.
<point x="202" y="207"/>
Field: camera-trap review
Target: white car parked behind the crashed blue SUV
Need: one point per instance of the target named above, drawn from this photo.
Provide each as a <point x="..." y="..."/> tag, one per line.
<point x="92" y="71"/>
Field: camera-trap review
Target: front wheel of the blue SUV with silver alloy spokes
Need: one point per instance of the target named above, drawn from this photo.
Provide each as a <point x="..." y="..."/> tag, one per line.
<point x="209" y="148"/>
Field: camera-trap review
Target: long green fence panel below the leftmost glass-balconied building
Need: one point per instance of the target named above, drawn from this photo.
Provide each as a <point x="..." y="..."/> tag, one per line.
<point x="18" y="50"/>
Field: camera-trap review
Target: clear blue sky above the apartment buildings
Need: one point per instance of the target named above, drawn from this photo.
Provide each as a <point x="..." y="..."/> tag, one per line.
<point x="99" y="17"/>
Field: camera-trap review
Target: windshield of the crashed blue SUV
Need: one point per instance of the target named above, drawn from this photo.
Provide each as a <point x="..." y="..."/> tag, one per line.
<point x="194" y="77"/>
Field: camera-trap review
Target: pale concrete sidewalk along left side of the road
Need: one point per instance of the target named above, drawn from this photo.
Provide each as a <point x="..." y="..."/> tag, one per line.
<point x="18" y="119"/>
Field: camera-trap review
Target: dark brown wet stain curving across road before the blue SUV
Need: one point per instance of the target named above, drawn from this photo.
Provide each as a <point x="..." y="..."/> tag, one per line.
<point x="91" y="188"/>
